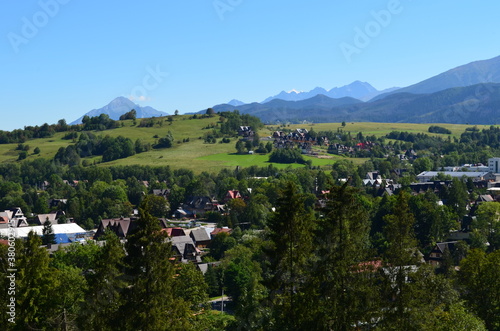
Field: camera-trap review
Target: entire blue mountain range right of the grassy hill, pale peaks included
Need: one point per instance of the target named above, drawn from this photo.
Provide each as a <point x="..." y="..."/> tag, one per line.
<point x="467" y="94"/>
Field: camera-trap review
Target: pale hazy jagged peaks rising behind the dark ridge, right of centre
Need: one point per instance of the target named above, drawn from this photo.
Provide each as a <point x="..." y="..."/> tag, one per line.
<point x="358" y="90"/>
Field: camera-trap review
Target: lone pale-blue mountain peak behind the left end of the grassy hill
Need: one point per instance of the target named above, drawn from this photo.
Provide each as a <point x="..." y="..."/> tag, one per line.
<point x="120" y="106"/>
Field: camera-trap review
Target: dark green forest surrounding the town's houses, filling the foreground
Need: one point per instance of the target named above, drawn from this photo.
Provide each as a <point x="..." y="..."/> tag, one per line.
<point x="307" y="251"/>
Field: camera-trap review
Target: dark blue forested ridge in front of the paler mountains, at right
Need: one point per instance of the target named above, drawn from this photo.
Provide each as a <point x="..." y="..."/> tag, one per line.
<point x="476" y="104"/>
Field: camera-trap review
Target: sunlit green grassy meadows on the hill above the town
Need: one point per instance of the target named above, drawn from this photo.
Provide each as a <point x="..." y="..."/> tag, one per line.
<point x="199" y="156"/>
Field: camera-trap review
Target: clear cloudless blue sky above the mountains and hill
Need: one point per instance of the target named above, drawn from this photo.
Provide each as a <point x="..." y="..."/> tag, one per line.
<point x="62" y="58"/>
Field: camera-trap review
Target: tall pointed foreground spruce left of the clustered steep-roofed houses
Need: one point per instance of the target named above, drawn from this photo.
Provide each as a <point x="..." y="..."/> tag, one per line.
<point x="150" y="301"/>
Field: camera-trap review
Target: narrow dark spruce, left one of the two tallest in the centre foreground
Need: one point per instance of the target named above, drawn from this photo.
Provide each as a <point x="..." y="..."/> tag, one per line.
<point x="290" y="234"/>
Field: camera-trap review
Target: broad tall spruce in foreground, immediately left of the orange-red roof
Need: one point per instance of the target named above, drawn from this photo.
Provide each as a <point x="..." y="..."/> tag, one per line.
<point x="342" y="289"/>
